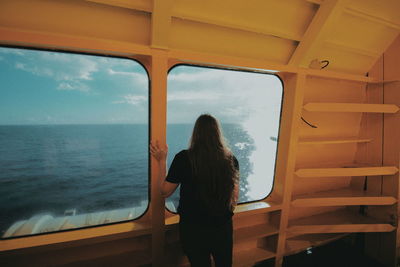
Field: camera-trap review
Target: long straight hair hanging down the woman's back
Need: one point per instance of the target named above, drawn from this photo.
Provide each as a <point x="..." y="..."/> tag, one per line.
<point x="213" y="165"/>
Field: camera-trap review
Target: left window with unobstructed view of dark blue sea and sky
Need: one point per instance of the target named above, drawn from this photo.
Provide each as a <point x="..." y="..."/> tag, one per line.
<point x="73" y="141"/>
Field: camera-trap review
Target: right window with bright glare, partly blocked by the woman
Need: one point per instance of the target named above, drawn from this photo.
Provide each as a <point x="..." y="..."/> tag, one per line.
<point x="248" y="105"/>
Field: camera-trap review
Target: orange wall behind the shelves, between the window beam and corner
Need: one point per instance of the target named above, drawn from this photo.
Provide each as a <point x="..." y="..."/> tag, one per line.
<point x="326" y="126"/>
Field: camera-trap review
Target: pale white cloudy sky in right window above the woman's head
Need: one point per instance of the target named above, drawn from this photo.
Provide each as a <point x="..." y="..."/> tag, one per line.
<point x="232" y="96"/>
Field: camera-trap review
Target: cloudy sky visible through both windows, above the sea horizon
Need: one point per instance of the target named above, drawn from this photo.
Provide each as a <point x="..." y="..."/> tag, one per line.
<point x="39" y="87"/>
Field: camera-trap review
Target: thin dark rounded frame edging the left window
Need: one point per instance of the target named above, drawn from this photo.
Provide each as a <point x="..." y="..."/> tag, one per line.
<point x="138" y="60"/>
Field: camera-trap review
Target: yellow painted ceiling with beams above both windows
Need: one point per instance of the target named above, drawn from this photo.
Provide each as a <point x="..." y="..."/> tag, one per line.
<point x="351" y="34"/>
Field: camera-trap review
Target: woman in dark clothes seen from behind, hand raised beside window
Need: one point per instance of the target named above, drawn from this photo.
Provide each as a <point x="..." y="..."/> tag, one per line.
<point x="208" y="173"/>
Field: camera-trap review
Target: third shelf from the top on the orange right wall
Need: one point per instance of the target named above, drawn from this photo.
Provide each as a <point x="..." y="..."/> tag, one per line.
<point x="344" y="172"/>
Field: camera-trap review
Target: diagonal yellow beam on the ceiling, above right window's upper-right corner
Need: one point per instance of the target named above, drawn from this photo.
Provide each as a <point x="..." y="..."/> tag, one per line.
<point x="319" y="27"/>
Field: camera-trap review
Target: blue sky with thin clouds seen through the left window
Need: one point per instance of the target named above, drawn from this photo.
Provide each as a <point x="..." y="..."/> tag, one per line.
<point x="40" y="87"/>
